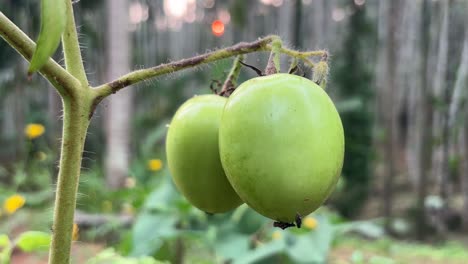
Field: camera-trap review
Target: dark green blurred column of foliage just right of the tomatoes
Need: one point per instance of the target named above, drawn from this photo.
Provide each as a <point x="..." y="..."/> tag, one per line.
<point x="352" y="77"/>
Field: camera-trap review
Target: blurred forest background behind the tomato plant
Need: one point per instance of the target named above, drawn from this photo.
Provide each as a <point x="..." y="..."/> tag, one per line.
<point x="398" y="78"/>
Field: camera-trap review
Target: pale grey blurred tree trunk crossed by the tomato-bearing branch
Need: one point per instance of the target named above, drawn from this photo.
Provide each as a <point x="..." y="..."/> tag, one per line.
<point x="120" y="107"/>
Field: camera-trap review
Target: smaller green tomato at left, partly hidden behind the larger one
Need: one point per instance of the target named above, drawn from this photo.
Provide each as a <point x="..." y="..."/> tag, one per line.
<point x="193" y="155"/>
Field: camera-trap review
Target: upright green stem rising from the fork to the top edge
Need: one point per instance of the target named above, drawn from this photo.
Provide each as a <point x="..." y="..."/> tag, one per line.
<point x="71" y="47"/>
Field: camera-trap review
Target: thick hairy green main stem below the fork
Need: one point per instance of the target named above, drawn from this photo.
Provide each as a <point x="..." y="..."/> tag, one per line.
<point x="75" y="124"/>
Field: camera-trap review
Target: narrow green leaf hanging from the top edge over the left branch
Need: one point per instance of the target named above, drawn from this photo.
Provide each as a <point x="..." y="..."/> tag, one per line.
<point x="53" y="19"/>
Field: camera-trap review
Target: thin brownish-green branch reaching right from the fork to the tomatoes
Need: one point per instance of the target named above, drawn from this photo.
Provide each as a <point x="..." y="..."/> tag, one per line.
<point x="141" y="75"/>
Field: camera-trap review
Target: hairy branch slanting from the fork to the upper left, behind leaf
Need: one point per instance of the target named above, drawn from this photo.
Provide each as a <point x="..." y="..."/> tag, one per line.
<point x="63" y="81"/>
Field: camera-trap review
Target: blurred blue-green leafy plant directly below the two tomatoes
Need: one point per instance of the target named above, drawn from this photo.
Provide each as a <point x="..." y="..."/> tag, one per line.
<point x="242" y="236"/>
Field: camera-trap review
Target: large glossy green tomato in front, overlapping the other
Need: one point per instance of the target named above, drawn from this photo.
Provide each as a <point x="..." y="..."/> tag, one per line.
<point x="281" y="145"/>
